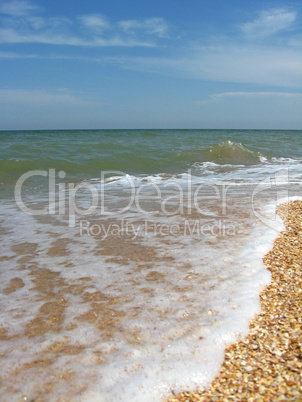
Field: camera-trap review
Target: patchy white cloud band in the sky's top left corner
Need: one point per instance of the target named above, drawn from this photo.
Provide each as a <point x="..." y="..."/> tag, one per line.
<point x="22" y="23"/>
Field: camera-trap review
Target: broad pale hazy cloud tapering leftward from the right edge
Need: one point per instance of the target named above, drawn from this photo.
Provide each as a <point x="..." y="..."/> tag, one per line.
<point x="281" y="67"/>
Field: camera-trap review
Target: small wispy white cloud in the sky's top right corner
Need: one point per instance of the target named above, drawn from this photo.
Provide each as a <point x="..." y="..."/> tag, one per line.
<point x="269" y="22"/>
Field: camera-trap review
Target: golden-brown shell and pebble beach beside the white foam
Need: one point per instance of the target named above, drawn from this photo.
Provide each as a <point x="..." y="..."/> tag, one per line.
<point x="267" y="364"/>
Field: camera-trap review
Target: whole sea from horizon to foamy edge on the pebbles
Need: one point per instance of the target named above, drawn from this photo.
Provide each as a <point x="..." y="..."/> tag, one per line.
<point x="130" y="259"/>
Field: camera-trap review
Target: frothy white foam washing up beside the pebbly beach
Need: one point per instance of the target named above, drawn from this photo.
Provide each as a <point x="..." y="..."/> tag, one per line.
<point x="172" y="340"/>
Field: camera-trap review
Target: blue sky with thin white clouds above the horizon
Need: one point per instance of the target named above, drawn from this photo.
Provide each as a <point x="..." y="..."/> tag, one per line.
<point x="160" y="64"/>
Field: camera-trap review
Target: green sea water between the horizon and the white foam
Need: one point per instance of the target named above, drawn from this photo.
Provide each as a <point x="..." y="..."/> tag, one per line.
<point x="83" y="154"/>
